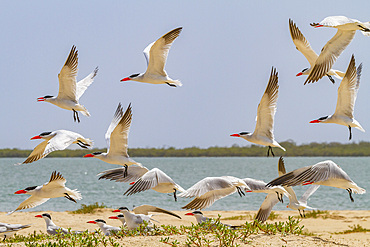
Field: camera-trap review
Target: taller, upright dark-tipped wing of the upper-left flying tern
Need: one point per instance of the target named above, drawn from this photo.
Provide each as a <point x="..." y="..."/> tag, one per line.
<point x="67" y="77"/>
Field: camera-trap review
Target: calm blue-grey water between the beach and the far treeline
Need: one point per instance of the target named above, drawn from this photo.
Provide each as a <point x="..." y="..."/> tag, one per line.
<point x="81" y="174"/>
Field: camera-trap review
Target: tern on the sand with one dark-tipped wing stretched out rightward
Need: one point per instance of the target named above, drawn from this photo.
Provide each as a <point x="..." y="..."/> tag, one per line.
<point x="141" y="214"/>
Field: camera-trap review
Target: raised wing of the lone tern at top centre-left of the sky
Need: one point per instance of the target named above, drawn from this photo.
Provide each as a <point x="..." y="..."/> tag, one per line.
<point x="158" y="52"/>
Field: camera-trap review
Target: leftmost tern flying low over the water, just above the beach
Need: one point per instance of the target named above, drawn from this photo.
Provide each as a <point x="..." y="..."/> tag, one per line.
<point x="52" y="189"/>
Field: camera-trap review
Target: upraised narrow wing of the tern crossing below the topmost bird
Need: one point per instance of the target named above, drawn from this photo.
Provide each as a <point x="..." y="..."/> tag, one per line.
<point x="302" y="44"/>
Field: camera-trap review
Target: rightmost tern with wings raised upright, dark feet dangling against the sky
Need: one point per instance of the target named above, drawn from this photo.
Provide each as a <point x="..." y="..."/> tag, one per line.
<point x="347" y="94"/>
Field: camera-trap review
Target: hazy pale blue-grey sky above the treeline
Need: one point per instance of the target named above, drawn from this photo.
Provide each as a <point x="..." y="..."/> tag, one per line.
<point x="223" y="57"/>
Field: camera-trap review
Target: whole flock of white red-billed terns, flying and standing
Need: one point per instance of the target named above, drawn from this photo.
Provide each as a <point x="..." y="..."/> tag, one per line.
<point x="209" y="189"/>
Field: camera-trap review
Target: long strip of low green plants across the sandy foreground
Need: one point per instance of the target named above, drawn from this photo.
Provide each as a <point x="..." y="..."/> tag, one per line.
<point x="209" y="233"/>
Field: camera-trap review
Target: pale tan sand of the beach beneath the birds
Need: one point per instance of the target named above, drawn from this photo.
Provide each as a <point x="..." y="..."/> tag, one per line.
<point x="323" y="229"/>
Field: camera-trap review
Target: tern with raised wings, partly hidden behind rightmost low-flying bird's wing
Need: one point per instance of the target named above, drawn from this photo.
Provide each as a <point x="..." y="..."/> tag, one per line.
<point x="294" y="203"/>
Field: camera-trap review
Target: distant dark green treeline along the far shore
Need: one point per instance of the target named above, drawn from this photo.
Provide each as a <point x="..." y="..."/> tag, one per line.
<point x="312" y="149"/>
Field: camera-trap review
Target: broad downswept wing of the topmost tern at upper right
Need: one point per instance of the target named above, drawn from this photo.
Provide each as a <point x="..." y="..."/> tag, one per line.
<point x="329" y="54"/>
